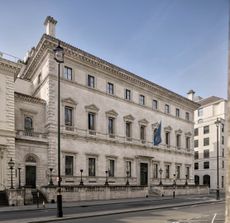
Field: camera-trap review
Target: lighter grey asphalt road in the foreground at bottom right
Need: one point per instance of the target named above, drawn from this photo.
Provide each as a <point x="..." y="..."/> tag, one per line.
<point x="205" y="213"/>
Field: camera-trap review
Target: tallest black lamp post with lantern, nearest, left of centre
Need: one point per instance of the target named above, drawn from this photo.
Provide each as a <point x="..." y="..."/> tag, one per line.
<point x="59" y="58"/>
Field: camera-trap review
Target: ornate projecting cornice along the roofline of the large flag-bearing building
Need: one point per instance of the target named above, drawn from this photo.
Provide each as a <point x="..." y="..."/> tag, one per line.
<point x="48" y="43"/>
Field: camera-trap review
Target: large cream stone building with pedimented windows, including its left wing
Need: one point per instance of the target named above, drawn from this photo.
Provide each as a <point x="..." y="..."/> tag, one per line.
<point x="108" y="118"/>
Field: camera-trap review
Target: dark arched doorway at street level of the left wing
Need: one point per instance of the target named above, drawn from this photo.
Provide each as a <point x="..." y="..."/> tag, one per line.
<point x="30" y="170"/>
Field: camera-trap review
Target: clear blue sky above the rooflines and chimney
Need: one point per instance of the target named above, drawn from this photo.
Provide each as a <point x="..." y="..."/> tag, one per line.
<point x="178" y="44"/>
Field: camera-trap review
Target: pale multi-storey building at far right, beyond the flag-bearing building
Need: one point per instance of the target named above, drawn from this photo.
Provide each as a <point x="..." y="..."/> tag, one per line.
<point x="205" y="142"/>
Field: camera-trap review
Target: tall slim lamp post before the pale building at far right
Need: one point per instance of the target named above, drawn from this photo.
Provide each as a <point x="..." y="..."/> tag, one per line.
<point x="217" y="122"/>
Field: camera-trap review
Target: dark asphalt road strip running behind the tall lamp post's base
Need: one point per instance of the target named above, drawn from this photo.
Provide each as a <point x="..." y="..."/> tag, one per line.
<point x="23" y="214"/>
